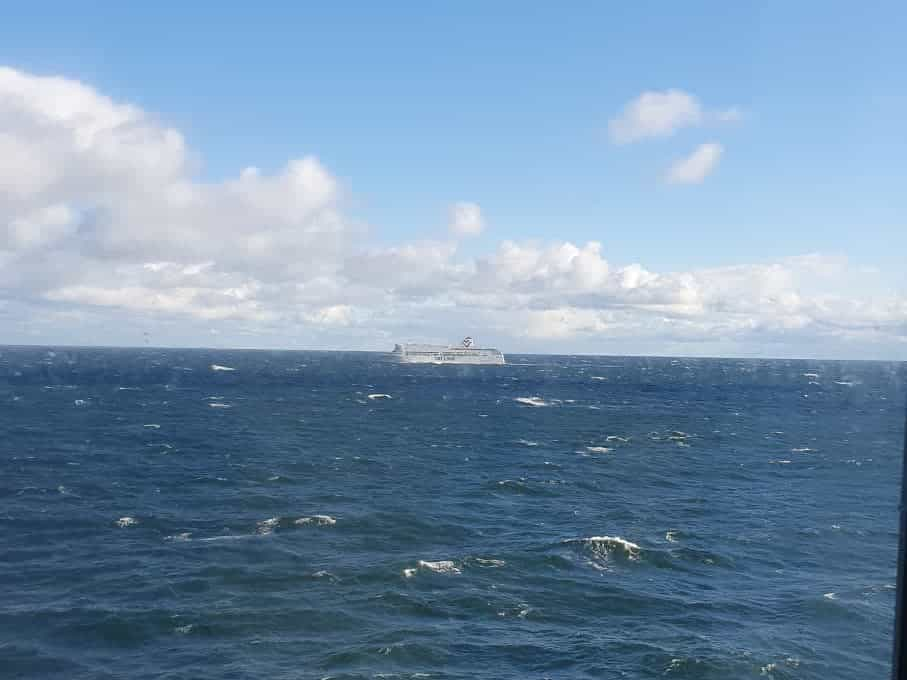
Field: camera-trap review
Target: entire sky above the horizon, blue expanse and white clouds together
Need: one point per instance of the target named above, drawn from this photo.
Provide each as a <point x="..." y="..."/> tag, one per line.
<point x="696" y="179"/>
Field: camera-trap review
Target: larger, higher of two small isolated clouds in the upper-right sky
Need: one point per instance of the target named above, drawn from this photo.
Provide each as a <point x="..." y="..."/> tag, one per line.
<point x="656" y="114"/>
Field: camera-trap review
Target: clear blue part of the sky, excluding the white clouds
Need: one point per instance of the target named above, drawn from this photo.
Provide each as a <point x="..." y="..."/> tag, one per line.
<point x="412" y="106"/>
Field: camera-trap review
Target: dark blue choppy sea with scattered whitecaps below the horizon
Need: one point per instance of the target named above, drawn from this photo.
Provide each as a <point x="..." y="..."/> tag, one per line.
<point x="239" y="514"/>
